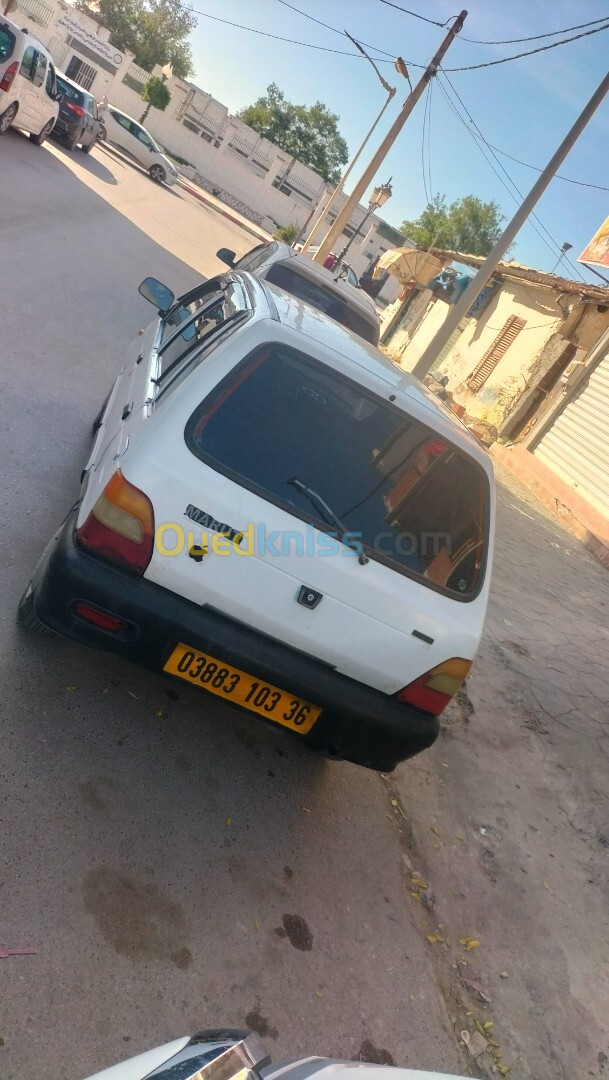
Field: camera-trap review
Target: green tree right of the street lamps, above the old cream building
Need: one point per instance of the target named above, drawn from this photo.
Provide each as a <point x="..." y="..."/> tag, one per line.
<point x="467" y="225"/>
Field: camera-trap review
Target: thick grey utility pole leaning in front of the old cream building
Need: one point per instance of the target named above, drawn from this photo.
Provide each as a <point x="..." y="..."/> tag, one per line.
<point x="427" y="361"/>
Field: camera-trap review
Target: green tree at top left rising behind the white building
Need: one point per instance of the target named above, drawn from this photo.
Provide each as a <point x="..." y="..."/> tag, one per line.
<point x="156" y="31"/>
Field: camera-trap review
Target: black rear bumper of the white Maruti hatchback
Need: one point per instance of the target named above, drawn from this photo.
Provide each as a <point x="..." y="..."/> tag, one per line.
<point x="358" y="723"/>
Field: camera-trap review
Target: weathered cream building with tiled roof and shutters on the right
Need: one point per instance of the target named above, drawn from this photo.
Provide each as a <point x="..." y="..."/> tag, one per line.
<point x="532" y="359"/>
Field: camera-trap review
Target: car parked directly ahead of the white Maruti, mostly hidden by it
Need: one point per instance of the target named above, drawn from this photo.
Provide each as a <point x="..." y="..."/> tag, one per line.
<point x="280" y="265"/>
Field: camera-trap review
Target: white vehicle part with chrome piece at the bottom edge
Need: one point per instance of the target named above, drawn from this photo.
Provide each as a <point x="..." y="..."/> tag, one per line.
<point x="228" y="1055"/>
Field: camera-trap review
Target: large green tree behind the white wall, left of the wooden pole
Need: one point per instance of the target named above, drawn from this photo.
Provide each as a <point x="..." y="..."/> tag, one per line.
<point x="309" y="134"/>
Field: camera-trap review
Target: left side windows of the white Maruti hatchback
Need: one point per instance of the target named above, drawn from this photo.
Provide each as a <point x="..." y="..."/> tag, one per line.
<point x="196" y="321"/>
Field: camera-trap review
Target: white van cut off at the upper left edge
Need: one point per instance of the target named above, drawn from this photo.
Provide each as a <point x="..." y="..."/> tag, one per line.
<point x="30" y="99"/>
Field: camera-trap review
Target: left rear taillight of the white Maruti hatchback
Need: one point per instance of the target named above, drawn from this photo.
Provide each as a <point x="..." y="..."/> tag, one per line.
<point x="121" y="525"/>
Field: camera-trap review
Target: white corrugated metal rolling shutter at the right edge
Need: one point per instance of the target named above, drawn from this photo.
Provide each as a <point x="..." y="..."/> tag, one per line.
<point x="578" y="443"/>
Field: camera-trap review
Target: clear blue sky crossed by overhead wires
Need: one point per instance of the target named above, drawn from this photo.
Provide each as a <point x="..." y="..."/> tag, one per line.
<point x="524" y="107"/>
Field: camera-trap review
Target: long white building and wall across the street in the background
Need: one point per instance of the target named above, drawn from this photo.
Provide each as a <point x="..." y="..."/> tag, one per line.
<point x="215" y="150"/>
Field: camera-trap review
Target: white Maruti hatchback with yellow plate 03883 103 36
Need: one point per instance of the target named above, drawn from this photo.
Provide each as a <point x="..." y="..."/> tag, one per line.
<point x="275" y="514"/>
